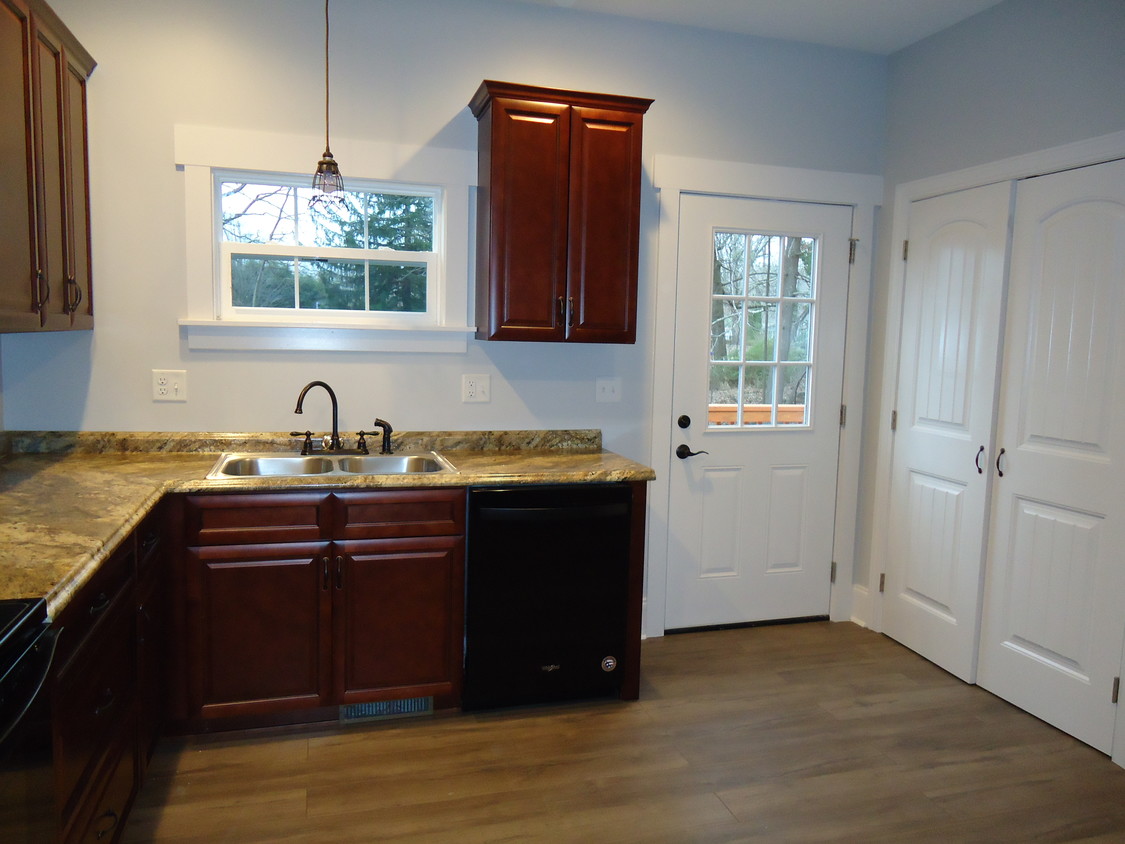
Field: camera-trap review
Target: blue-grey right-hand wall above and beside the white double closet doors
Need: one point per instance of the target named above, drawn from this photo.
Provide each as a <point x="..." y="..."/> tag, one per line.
<point x="1022" y="77"/>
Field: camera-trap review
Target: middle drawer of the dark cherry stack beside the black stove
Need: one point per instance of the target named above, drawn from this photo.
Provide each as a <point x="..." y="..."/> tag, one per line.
<point x="92" y="699"/>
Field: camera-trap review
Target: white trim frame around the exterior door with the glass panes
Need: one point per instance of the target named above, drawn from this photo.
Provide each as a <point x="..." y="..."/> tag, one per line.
<point x="674" y="176"/>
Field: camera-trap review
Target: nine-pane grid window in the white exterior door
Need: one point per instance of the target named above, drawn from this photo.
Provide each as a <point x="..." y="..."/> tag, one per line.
<point x="763" y="313"/>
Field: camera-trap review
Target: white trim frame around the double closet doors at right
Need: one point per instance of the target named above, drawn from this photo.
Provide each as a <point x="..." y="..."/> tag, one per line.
<point x="868" y="603"/>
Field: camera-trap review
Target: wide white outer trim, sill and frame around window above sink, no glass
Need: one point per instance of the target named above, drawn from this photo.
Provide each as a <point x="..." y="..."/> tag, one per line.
<point x="201" y="152"/>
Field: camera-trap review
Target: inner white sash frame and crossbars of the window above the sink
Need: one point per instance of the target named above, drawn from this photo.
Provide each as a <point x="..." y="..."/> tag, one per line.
<point x="310" y="318"/>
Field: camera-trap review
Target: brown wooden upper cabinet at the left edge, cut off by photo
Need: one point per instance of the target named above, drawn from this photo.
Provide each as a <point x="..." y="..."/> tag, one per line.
<point x="44" y="205"/>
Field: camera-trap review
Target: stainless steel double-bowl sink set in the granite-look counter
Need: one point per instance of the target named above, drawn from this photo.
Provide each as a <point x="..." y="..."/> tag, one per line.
<point x="286" y="465"/>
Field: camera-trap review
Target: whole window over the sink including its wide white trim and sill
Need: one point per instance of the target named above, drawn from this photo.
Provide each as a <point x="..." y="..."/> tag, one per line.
<point x="385" y="272"/>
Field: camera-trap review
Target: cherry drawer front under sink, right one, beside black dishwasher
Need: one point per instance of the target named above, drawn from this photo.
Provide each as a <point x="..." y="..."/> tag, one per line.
<point x="385" y="515"/>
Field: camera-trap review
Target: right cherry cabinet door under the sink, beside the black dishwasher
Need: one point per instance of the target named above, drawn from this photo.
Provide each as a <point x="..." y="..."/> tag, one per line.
<point x="400" y="616"/>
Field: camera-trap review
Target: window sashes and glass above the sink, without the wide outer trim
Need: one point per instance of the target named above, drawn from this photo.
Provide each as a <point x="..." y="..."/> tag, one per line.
<point x="371" y="257"/>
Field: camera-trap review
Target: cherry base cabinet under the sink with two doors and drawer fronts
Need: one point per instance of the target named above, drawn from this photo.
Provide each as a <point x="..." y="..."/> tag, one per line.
<point x="371" y="609"/>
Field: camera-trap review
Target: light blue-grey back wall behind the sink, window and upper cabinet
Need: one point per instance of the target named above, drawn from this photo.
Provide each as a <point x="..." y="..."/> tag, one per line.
<point x="402" y="71"/>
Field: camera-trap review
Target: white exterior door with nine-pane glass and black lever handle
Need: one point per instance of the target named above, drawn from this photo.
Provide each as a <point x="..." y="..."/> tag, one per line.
<point x="761" y="313"/>
